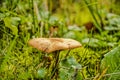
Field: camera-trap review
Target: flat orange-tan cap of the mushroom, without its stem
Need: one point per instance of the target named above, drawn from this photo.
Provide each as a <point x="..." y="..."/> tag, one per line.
<point x="53" y="44"/>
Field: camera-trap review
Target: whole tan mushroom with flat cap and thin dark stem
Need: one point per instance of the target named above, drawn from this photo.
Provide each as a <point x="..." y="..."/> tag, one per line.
<point x="49" y="45"/>
